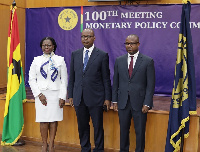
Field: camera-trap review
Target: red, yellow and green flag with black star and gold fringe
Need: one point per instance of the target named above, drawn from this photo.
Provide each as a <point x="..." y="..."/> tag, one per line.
<point x="13" y="115"/>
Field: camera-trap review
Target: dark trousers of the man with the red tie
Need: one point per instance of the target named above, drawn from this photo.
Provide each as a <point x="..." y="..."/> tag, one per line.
<point x="139" y="120"/>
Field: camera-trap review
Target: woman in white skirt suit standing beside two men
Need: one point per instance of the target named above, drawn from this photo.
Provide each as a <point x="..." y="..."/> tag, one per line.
<point x="48" y="81"/>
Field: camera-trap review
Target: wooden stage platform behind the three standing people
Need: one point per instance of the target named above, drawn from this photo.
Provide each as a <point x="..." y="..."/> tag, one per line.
<point x="67" y="134"/>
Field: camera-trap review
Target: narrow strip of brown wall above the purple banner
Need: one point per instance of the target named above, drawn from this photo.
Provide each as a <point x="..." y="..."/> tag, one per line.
<point x="62" y="3"/>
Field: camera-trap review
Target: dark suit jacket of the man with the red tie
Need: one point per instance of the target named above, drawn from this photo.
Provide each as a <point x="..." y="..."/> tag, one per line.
<point x="140" y="86"/>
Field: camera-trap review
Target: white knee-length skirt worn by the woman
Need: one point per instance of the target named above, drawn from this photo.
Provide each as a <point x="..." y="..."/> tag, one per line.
<point x="52" y="111"/>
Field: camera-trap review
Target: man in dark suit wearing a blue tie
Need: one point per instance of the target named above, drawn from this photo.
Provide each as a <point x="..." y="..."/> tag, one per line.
<point x="89" y="89"/>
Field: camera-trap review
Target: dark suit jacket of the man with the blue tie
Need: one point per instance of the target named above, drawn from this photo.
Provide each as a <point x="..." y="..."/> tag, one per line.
<point x="94" y="83"/>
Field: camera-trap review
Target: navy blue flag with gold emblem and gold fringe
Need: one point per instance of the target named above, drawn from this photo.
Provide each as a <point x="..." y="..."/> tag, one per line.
<point x="183" y="101"/>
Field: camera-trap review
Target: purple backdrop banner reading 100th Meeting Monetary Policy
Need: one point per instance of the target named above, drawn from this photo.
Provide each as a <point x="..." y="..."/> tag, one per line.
<point x="156" y="25"/>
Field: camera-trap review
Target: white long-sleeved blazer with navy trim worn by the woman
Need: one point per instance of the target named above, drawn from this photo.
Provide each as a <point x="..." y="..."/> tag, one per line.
<point x="37" y="82"/>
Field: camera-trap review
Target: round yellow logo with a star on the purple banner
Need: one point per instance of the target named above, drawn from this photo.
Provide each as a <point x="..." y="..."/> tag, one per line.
<point x="67" y="19"/>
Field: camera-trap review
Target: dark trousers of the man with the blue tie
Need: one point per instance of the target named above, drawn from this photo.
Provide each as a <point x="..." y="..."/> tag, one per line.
<point x="83" y="114"/>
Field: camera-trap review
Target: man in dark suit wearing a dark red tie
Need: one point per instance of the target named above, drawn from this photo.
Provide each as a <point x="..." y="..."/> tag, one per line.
<point x="133" y="89"/>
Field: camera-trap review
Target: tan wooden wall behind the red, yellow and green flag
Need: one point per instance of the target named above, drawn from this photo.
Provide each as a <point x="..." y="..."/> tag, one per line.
<point x="4" y="20"/>
